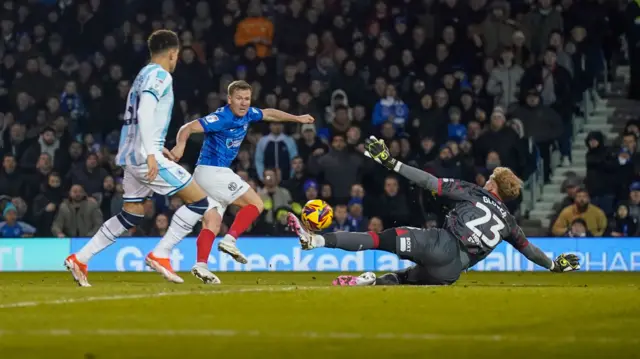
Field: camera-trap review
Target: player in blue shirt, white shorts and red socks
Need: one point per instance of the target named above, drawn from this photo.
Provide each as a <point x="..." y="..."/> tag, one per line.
<point x="224" y="132"/>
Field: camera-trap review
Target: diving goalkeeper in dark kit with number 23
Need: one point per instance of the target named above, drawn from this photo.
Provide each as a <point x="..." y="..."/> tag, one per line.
<point x="475" y="225"/>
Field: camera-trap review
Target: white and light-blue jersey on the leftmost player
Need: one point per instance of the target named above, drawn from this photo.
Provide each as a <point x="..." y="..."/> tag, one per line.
<point x="154" y="80"/>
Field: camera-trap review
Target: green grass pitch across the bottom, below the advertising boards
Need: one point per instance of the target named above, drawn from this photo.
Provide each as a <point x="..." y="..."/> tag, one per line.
<point x="297" y="315"/>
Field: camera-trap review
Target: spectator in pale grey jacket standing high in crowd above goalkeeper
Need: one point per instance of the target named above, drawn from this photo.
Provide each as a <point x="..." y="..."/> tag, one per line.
<point x="504" y="81"/>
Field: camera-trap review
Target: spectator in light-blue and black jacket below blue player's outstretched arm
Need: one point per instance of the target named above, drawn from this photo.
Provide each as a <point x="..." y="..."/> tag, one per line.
<point x="276" y="150"/>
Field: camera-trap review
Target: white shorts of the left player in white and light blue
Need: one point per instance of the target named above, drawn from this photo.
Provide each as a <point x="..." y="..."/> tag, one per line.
<point x="171" y="178"/>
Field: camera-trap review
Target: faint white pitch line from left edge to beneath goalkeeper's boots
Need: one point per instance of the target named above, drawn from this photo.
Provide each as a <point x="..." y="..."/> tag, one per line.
<point x="154" y="295"/>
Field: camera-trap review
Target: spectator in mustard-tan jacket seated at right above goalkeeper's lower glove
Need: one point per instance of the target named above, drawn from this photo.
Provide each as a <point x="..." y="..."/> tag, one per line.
<point x="594" y="217"/>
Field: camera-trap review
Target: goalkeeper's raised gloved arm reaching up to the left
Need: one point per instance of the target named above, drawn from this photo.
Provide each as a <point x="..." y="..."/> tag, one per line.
<point x="377" y="150"/>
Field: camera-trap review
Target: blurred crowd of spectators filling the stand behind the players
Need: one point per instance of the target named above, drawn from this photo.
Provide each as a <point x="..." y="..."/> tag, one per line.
<point x="455" y="87"/>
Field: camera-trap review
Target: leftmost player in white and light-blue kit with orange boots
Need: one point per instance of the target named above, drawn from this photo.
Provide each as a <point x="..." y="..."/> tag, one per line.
<point x="146" y="170"/>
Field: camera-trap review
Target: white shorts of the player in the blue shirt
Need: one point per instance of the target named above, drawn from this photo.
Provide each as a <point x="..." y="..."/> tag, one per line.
<point x="221" y="184"/>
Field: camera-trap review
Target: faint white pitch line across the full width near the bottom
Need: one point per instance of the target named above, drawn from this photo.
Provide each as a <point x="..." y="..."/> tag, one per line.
<point x="422" y="337"/>
